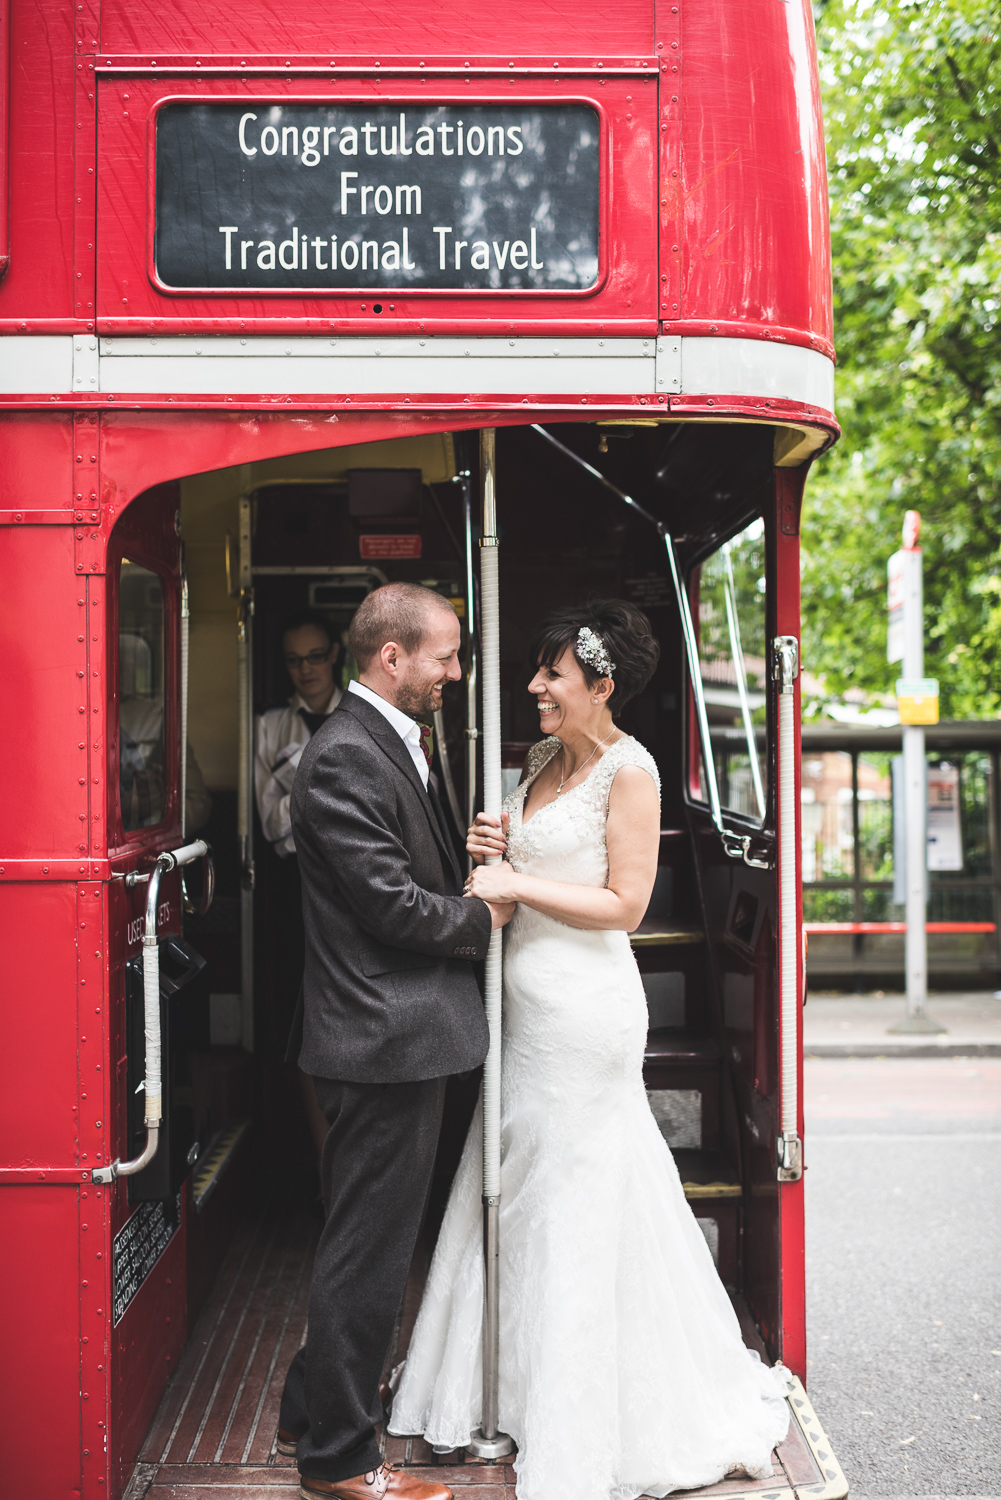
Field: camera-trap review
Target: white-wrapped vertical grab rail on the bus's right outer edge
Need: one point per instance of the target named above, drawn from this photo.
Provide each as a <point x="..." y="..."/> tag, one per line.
<point x="790" y="1150"/>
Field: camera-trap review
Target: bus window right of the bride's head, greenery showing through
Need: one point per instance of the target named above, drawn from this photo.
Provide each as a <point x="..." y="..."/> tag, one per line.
<point x="732" y="628"/>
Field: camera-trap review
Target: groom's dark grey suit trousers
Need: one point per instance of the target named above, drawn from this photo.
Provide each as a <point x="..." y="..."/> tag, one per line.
<point x="376" y="1174"/>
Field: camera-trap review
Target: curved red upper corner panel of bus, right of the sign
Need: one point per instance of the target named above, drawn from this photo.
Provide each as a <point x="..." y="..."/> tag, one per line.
<point x="754" y="175"/>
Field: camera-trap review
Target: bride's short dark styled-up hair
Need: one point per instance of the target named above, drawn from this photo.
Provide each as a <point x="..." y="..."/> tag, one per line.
<point x="625" y="634"/>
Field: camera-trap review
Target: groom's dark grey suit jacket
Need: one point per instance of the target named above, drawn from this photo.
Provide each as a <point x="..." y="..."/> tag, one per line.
<point x="389" y="991"/>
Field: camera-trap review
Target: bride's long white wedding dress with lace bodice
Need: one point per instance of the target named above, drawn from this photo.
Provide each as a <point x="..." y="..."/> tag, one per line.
<point x="622" y="1369"/>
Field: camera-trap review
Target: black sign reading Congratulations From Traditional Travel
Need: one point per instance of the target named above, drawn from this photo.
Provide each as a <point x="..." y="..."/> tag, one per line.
<point x="308" y="197"/>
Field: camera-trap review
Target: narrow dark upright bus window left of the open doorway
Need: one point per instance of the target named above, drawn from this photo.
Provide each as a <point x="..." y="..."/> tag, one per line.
<point x="142" y="754"/>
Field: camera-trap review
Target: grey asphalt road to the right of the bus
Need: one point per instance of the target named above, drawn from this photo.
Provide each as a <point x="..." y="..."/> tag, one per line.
<point x="904" y="1271"/>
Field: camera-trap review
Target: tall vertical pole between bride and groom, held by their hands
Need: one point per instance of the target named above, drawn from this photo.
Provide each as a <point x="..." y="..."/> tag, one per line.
<point x="488" y="1442"/>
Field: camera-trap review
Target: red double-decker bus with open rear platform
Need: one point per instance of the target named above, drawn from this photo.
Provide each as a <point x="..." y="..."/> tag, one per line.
<point x="266" y="280"/>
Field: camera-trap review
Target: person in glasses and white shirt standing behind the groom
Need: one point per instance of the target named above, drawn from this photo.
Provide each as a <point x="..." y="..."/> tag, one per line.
<point x="311" y="653"/>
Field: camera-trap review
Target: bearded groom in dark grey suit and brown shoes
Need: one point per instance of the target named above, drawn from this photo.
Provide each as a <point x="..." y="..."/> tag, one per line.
<point x="391" y="1010"/>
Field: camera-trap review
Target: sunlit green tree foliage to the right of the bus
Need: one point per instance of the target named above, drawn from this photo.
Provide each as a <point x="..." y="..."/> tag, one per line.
<point x="913" y="113"/>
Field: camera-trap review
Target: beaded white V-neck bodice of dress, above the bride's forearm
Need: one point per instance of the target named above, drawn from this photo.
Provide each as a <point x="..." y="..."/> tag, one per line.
<point x="565" y="841"/>
